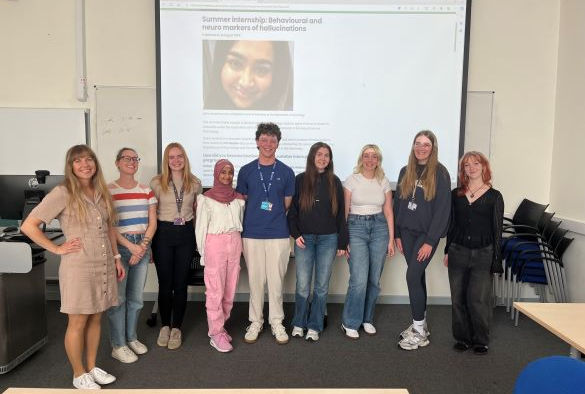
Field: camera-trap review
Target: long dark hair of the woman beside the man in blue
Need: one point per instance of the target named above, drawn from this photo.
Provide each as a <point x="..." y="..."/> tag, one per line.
<point x="307" y="192"/>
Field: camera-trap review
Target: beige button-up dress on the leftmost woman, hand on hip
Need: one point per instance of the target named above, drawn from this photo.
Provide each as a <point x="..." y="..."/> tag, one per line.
<point x="87" y="279"/>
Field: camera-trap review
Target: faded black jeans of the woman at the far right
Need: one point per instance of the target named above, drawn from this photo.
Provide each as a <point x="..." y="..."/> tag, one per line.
<point x="470" y="279"/>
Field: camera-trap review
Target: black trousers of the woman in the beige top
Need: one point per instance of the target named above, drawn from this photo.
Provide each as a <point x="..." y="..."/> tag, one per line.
<point x="173" y="248"/>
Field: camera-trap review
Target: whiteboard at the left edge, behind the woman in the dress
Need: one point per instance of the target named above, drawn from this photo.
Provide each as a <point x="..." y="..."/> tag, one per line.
<point x="38" y="138"/>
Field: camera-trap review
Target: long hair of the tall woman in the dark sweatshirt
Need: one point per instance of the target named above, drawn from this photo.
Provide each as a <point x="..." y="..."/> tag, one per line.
<point x="428" y="177"/>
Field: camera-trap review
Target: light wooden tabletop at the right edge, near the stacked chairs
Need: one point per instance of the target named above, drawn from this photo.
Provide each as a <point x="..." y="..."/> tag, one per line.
<point x="566" y="321"/>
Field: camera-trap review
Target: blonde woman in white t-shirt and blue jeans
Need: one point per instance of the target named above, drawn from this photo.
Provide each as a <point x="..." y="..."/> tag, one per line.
<point x="368" y="207"/>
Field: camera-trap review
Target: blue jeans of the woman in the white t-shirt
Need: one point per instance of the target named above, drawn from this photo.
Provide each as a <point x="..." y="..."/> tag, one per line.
<point x="368" y="243"/>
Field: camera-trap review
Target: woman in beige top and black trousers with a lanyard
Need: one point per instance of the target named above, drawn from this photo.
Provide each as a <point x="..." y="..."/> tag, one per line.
<point x="173" y="245"/>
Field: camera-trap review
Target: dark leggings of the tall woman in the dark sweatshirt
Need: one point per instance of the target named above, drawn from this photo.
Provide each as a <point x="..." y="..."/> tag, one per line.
<point x="415" y="273"/>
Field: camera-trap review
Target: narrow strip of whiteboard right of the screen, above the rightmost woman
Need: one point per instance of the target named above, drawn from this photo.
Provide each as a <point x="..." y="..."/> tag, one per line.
<point x="478" y="122"/>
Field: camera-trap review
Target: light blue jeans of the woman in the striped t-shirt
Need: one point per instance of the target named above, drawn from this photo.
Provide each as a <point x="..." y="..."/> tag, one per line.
<point x="124" y="317"/>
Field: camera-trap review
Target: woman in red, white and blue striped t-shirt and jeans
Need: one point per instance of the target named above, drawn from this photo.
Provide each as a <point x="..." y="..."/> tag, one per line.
<point x="136" y="208"/>
